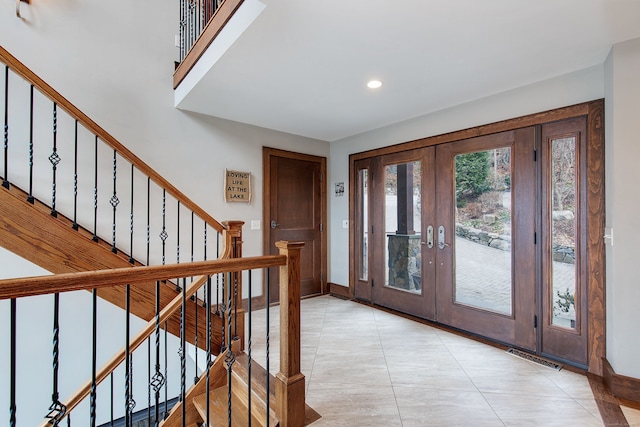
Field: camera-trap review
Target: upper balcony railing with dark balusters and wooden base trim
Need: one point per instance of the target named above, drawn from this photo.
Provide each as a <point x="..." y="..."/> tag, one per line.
<point x="200" y="22"/>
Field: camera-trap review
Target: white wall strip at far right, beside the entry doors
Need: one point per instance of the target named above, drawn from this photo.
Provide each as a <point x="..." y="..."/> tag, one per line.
<point x="622" y="177"/>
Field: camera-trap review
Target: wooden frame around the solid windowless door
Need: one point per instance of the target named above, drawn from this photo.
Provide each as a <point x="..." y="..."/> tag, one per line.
<point x="267" y="154"/>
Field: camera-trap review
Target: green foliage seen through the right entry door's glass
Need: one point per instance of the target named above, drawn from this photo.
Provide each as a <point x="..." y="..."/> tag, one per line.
<point x="472" y="173"/>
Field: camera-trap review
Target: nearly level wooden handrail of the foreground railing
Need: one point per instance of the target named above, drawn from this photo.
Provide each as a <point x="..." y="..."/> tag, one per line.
<point x="87" y="280"/>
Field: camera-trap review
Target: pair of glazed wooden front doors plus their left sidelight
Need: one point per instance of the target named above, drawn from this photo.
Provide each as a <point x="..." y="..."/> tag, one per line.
<point x="446" y="224"/>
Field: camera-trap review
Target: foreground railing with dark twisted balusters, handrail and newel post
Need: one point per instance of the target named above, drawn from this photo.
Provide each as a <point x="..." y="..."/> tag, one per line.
<point x="156" y="374"/>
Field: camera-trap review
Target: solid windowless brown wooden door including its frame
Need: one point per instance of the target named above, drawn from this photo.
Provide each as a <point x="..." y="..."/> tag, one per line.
<point x="294" y="210"/>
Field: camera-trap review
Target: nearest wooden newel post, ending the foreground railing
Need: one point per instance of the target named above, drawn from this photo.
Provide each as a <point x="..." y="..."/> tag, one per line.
<point x="290" y="387"/>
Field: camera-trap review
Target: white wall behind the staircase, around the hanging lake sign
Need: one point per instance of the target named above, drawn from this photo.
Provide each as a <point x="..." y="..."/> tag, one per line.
<point x="114" y="61"/>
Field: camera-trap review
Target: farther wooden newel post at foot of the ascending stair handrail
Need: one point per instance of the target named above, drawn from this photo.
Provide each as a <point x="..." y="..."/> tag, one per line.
<point x="233" y="248"/>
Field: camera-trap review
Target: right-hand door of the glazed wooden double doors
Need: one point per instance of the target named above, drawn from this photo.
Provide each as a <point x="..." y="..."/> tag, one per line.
<point x="485" y="257"/>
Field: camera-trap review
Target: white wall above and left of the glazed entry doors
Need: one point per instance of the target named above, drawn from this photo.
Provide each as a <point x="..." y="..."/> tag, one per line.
<point x="580" y="86"/>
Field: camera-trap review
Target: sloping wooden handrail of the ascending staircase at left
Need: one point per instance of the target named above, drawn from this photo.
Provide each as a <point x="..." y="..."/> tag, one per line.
<point x="23" y="71"/>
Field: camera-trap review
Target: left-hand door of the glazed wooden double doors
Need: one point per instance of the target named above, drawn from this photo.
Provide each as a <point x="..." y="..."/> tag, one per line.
<point x="401" y="272"/>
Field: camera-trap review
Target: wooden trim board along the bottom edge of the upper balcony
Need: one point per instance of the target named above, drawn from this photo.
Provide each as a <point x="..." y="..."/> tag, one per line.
<point x="208" y="35"/>
